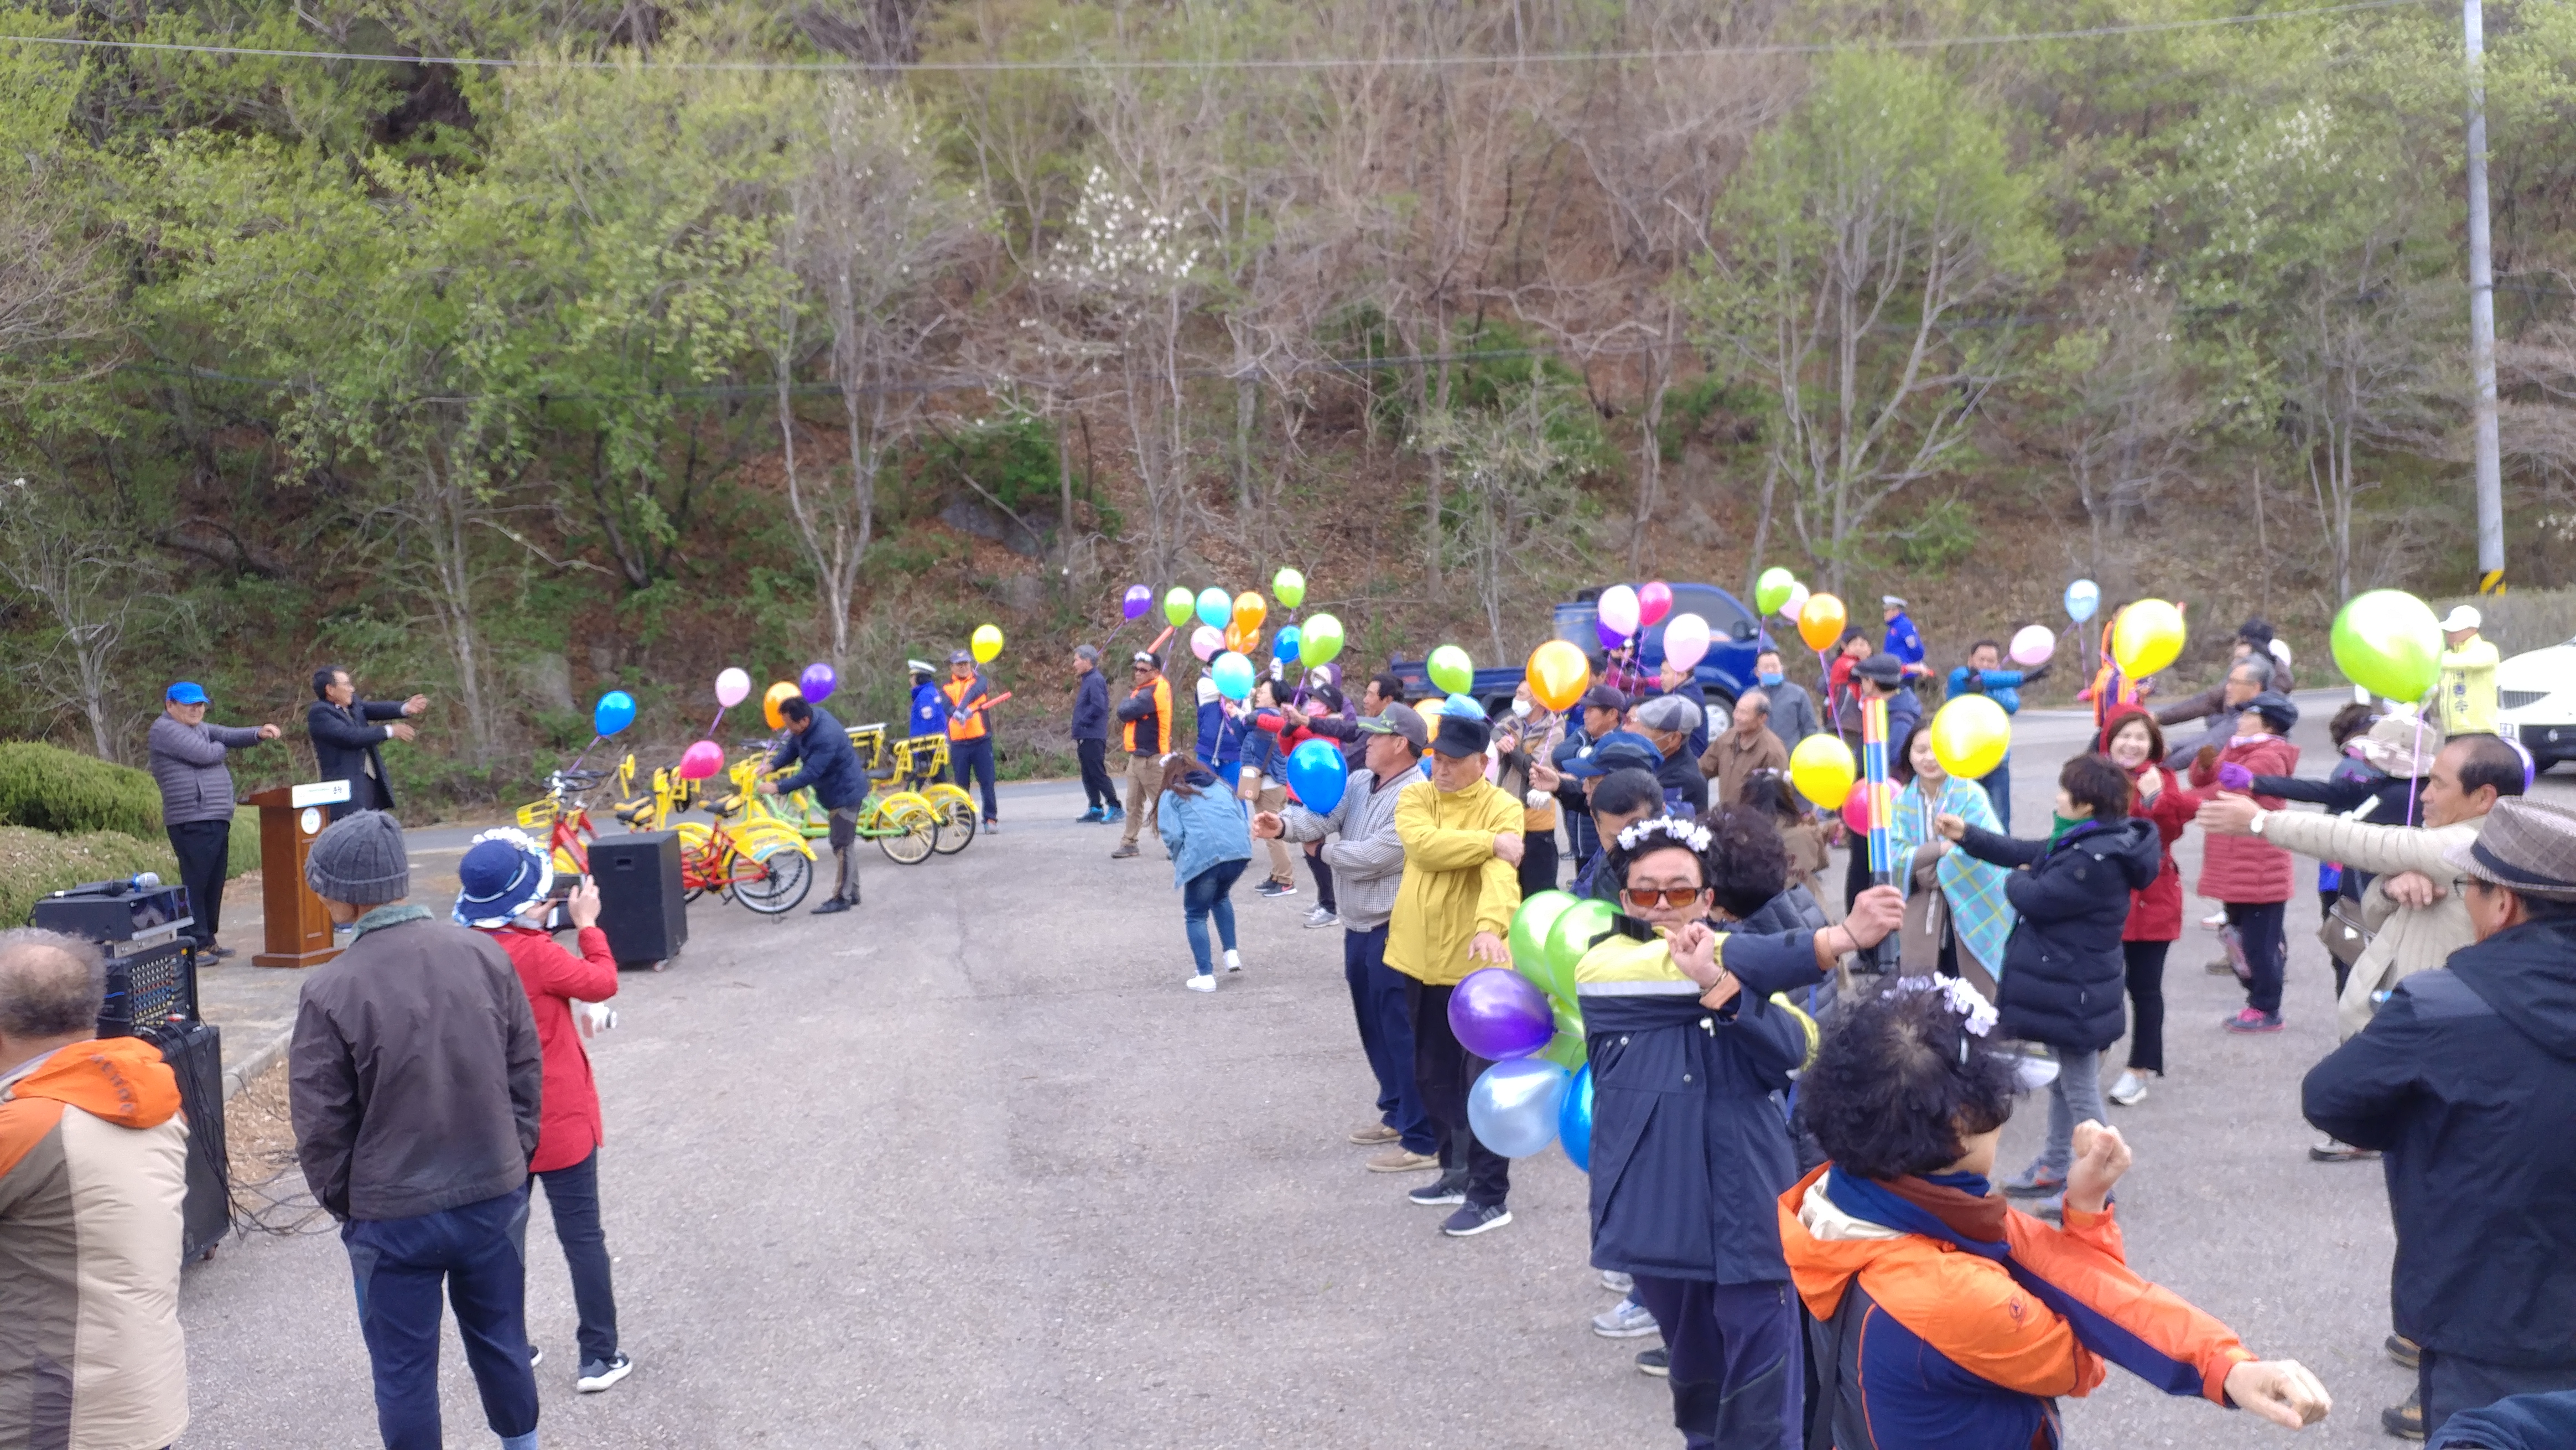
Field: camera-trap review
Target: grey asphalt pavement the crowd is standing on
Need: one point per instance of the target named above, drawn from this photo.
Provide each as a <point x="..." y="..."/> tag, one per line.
<point x="972" y="1171"/>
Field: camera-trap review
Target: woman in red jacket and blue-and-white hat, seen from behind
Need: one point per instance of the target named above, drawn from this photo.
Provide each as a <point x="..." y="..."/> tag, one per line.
<point x="506" y="882"/>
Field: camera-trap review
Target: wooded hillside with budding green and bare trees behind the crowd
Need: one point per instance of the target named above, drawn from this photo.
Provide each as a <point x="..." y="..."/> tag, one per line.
<point x="692" y="336"/>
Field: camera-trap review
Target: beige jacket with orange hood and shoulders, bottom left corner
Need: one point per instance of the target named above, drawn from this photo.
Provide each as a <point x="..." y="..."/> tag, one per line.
<point x="94" y="1171"/>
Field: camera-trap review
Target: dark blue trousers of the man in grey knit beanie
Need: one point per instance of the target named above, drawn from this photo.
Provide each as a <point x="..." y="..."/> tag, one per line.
<point x="401" y="1266"/>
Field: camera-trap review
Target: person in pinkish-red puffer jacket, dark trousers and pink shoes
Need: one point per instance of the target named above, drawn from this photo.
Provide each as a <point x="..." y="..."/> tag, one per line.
<point x="2253" y="877"/>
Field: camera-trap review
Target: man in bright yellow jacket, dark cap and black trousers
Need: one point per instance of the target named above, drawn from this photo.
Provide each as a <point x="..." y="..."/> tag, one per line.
<point x="1462" y="885"/>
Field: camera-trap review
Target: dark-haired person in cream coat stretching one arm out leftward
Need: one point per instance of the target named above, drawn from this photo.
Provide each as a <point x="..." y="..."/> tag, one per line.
<point x="2467" y="782"/>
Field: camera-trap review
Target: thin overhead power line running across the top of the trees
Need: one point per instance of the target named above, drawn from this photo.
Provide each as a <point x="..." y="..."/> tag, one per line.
<point x="1253" y="63"/>
